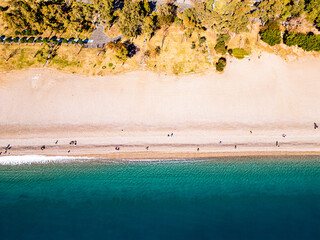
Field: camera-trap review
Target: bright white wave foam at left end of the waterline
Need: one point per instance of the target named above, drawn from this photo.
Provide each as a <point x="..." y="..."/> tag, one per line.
<point x="29" y="159"/>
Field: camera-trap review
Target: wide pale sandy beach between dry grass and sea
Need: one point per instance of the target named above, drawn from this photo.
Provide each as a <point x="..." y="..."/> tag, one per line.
<point x="241" y="112"/>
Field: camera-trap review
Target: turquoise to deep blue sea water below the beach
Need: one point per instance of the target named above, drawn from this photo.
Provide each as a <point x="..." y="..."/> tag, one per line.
<point x="231" y="198"/>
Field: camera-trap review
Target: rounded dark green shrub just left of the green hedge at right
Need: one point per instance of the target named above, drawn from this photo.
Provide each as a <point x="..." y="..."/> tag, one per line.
<point x="271" y="33"/>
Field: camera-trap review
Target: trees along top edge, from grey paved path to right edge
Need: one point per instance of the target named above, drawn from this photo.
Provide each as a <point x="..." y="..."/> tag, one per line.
<point x="138" y="17"/>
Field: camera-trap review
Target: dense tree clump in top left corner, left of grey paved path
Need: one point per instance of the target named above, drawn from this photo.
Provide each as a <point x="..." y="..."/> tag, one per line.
<point x="56" y="16"/>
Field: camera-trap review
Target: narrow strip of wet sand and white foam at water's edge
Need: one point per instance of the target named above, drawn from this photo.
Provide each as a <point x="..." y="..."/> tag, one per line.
<point x="136" y="157"/>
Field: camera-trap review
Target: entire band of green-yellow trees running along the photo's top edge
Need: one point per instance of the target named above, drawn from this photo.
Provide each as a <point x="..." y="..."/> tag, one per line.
<point x="139" y="17"/>
